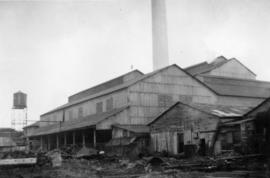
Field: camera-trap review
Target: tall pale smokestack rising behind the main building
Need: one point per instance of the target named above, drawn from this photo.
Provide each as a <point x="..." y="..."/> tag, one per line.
<point x="159" y="34"/>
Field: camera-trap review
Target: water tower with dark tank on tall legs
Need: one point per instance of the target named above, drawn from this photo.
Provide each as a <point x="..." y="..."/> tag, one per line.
<point x="19" y="110"/>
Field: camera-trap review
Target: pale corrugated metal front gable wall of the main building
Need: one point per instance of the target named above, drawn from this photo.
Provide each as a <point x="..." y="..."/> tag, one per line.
<point x="144" y="96"/>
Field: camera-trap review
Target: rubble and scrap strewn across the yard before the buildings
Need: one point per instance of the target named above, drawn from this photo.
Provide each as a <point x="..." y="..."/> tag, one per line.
<point x="110" y="164"/>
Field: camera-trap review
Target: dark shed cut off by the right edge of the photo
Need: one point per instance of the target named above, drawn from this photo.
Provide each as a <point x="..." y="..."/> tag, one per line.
<point x="251" y="134"/>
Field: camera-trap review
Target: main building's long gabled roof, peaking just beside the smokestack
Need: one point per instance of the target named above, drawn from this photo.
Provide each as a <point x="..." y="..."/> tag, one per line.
<point x="124" y="86"/>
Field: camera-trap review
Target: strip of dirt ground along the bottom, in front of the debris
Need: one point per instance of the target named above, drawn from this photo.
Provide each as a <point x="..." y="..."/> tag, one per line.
<point x="114" y="169"/>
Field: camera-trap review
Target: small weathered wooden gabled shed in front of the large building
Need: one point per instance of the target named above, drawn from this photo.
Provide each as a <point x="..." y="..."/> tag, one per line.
<point x="191" y="128"/>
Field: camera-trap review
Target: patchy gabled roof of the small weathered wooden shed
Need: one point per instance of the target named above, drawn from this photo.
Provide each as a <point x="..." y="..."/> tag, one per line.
<point x="215" y="110"/>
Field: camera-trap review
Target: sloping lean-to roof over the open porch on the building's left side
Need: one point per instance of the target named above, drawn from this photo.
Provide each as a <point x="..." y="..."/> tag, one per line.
<point x="87" y="121"/>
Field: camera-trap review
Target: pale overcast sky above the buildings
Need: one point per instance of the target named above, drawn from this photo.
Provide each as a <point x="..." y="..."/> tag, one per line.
<point x="52" y="49"/>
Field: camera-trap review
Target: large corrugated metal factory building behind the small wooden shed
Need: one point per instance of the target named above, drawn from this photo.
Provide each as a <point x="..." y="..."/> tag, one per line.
<point x="125" y="106"/>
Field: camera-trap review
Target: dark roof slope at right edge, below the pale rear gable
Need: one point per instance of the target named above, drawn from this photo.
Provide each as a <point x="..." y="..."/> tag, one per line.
<point x="237" y="87"/>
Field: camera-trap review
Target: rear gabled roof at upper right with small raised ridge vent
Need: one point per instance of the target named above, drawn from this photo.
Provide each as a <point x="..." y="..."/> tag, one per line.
<point x="205" y="67"/>
